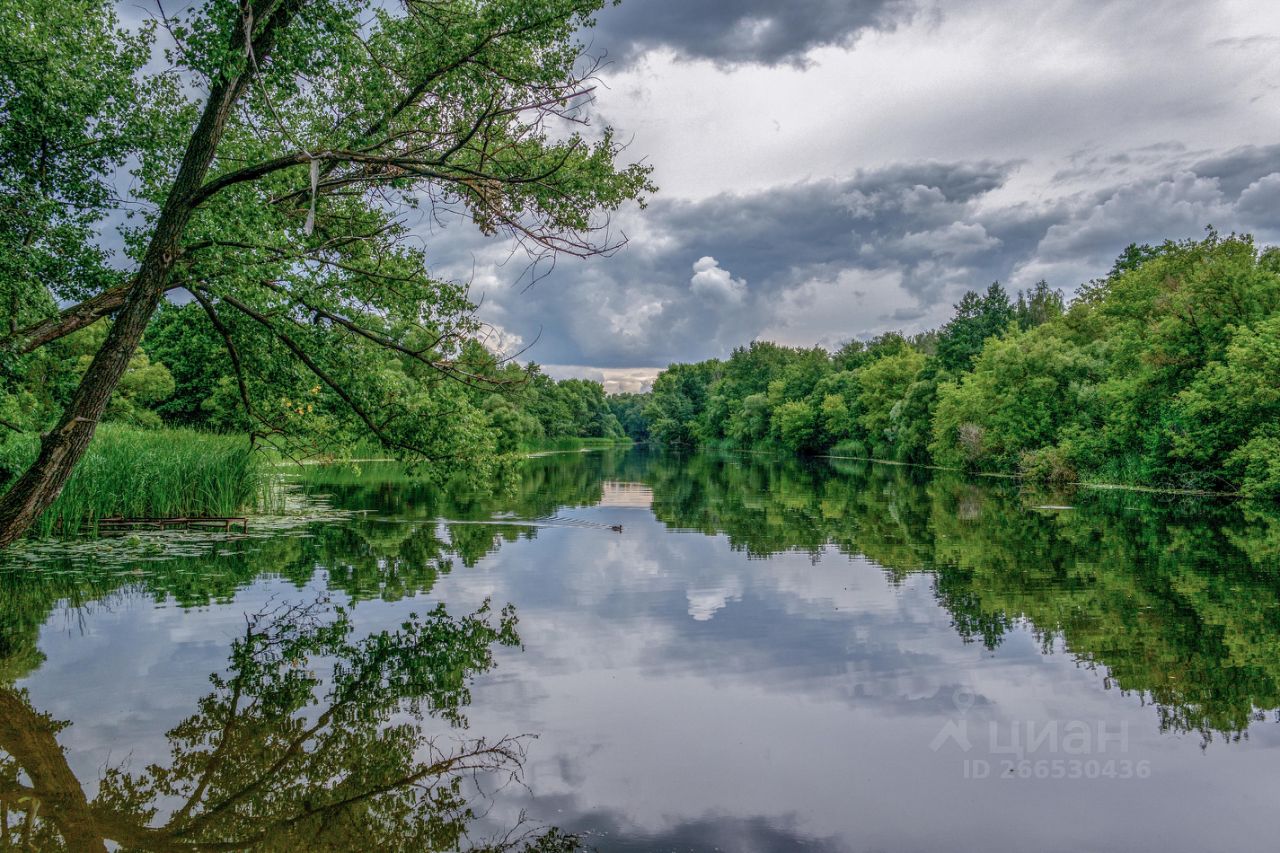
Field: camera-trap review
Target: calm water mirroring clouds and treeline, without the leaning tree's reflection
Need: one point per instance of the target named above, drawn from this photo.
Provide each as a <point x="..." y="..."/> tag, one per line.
<point x="764" y="655"/>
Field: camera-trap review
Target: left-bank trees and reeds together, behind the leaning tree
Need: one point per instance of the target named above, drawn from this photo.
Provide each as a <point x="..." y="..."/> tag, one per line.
<point x="177" y="439"/>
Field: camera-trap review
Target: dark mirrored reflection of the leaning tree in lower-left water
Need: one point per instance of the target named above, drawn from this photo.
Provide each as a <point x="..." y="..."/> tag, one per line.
<point x="312" y="741"/>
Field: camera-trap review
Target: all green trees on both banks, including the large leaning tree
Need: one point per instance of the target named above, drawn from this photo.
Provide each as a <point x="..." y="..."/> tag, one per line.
<point x="268" y="281"/>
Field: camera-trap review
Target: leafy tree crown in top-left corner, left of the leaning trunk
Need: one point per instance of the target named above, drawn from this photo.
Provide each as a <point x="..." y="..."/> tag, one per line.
<point x="72" y="103"/>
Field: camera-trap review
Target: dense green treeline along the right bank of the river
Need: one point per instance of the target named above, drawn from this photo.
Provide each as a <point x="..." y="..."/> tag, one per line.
<point x="1164" y="373"/>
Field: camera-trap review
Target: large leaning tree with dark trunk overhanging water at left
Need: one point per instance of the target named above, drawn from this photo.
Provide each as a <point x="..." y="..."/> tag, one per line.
<point x="278" y="161"/>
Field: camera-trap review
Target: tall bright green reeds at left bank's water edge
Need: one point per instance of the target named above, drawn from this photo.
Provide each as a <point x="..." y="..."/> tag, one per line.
<point x="147" y="473"/>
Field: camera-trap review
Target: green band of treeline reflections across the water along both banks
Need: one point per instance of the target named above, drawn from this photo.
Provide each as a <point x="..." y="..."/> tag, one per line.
<point x="1177" y="601"/>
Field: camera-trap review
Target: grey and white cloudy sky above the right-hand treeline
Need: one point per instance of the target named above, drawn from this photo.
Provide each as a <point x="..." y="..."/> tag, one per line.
<point x="831" y="170"/>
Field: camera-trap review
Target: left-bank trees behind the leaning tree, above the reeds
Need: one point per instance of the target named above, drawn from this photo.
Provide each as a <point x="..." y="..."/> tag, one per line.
<point x="182" y="376"/>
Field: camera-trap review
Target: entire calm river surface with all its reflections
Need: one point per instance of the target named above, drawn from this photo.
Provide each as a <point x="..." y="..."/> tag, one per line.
<point x="710" y="653"/>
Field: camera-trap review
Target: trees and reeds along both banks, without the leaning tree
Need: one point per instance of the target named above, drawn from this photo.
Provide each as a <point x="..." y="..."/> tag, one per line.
<point x="1162" y="377"/>
